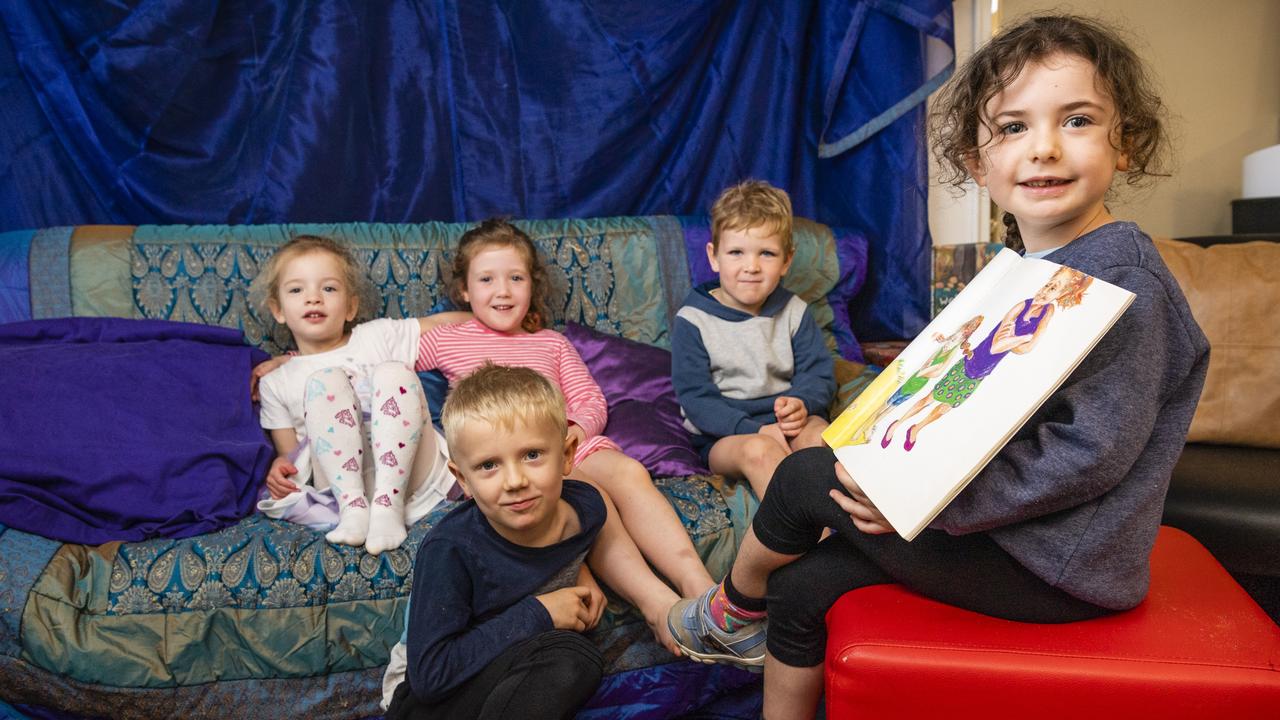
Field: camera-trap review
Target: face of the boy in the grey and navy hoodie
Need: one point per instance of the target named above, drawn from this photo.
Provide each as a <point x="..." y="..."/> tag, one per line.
<point x="751" y="265"/>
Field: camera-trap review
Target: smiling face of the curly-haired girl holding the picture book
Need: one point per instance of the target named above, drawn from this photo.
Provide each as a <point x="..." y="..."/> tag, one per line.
<point x="1049" y="151"/>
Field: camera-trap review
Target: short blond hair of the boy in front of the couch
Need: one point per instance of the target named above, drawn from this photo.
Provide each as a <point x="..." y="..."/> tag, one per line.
<point x="502" y="397"/>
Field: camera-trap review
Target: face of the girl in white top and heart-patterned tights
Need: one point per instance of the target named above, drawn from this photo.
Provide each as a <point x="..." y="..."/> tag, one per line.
<point x="314" y="302"/>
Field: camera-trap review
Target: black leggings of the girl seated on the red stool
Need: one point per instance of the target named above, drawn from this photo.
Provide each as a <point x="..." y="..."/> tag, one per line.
<point x="970" y="572"/>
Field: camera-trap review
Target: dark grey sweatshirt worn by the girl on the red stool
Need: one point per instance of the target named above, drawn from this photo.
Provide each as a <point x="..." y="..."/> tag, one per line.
<point x="1078" y="493"/>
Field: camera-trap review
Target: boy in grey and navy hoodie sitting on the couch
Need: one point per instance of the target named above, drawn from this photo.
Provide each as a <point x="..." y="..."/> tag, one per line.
<point x="749" y="364"/>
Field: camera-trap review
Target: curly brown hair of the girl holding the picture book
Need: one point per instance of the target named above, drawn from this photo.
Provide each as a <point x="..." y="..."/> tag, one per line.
<point x="961" y="108"/>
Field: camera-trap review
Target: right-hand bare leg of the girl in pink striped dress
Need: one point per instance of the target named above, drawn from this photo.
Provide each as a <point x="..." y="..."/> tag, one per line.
<point x="648" y="518"/>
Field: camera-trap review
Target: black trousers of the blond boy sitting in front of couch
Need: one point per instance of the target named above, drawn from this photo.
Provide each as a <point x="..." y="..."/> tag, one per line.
<point x="547" y="677"/>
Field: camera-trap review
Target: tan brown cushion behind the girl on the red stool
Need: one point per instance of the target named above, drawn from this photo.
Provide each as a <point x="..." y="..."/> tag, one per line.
<point x="1233" y="291"/>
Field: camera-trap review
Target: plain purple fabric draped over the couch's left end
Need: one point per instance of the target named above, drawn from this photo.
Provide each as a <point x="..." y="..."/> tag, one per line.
<point x="127" y="430"/>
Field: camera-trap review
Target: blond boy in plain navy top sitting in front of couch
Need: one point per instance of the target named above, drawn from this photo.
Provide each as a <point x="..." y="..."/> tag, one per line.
<point x="501" y="594"/>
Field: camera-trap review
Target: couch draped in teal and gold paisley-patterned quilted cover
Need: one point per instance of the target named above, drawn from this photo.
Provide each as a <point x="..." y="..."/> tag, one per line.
<point x="263" y="617"/>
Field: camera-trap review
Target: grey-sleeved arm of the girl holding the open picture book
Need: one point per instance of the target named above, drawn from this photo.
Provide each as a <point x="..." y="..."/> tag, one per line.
<point x="1087" y="438"/>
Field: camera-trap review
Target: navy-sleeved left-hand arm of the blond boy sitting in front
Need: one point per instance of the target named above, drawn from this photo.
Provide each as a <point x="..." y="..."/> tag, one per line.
<point x="447" y="645"/>
